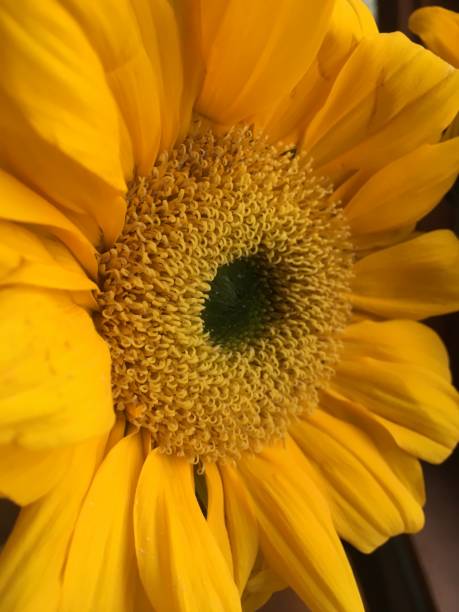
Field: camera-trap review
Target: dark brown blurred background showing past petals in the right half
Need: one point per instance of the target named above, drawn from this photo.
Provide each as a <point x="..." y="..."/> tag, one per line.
<point x="419" y="573"/>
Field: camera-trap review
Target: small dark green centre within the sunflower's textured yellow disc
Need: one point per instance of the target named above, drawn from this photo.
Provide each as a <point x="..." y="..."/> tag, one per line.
<point x="240" y="301"/>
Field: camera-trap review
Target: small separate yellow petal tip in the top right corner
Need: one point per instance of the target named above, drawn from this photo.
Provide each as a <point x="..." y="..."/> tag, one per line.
<point x="439" y="30"/>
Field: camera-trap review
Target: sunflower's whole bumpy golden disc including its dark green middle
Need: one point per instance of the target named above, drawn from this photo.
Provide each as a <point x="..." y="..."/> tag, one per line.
<point x="223" y="297"/>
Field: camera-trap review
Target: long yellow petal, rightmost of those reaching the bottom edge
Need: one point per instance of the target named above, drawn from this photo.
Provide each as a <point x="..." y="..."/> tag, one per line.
<point x="297" y="536"/>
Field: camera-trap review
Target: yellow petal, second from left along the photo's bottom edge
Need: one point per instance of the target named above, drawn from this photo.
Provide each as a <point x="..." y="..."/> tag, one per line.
<point x="101" y="569"/>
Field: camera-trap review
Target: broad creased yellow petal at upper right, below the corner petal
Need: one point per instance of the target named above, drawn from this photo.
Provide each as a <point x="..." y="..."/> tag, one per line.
<point x="390" y="97"/>
